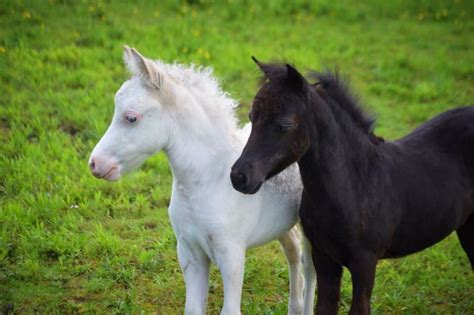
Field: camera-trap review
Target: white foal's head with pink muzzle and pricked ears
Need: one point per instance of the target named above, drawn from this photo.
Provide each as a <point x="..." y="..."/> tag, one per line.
<point x="142" y="119"/>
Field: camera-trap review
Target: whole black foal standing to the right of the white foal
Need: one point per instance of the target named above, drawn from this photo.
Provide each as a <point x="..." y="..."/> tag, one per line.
<point x="364" y="199"/>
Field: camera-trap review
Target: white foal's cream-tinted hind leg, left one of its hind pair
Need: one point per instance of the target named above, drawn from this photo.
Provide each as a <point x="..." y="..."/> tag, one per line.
<point x="291" y="243"/>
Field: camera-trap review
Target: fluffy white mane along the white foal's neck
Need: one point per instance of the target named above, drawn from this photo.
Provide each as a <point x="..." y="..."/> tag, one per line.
<point x="205" y="88"/>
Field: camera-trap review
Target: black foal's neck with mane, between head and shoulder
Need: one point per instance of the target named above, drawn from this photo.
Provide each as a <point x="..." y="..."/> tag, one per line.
<point x="339" y="148"/>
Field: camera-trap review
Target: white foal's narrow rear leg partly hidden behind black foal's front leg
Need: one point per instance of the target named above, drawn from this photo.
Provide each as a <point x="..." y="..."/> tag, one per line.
<point x="309" y="277"/>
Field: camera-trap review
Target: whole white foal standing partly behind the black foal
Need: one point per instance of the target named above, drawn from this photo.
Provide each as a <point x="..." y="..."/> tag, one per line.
<point x="183" y="111"/>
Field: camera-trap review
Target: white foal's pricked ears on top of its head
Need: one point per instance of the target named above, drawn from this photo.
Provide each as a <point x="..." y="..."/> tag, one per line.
<point x="143" y="67"/>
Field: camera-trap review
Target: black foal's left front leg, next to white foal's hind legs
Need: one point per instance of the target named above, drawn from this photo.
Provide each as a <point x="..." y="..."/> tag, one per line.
<point x="328" y="275"/>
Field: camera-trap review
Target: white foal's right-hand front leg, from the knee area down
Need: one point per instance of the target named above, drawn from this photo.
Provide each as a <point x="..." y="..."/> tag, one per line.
<point x="231" y="261"/>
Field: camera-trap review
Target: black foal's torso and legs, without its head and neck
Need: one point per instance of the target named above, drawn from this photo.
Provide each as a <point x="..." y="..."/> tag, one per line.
<point x="408" y="195"/>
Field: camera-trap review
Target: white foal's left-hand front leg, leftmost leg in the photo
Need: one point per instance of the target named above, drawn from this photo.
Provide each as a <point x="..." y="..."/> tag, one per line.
<point x="195" y="268"/>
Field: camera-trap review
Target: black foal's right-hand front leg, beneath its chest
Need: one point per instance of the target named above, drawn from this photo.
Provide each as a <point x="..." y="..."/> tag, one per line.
<point x="362" y="268"/>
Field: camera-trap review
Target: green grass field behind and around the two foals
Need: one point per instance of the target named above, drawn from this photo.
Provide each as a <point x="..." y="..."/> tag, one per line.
<point x="70" y="243"/>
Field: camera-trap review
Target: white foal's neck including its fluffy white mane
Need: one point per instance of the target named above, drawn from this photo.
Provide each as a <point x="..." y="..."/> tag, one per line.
<point x="204" y="137"/>
